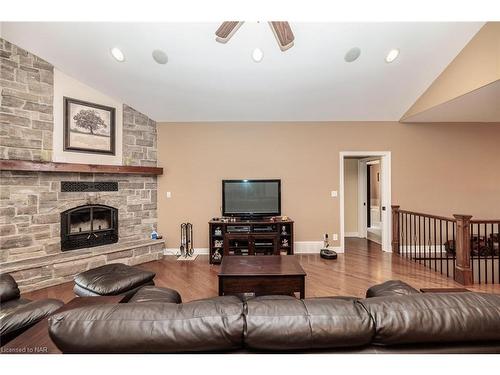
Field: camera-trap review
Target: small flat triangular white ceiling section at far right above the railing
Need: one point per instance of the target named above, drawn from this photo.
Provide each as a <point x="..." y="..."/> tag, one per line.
<point x="481" y="105"/>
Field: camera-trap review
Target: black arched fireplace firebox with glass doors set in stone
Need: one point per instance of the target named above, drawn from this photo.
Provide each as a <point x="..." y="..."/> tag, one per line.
<point x="88" y="226"/>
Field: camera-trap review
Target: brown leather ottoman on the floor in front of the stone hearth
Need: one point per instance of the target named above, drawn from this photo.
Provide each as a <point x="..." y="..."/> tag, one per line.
<point x="112" y="279"/>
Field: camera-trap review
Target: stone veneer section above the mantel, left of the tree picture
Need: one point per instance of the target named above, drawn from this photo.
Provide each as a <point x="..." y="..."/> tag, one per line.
<point x="26" y="113"/>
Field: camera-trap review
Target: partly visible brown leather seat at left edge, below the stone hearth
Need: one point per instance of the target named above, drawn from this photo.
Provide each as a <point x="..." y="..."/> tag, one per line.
<point x="18" y="314"/>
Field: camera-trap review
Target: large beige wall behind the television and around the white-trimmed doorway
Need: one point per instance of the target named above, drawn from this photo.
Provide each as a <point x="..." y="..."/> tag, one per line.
<point x="436" y="168"/>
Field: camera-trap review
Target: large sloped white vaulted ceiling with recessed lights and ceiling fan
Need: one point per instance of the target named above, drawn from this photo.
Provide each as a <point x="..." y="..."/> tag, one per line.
<point x="208" y="81"/>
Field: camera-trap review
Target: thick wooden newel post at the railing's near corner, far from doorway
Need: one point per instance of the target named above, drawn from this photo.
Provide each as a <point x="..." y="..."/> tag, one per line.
<point x="463" y="270"/>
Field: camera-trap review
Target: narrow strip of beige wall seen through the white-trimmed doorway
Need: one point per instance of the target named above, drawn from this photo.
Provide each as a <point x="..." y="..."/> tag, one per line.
<point x="351" y="195"/>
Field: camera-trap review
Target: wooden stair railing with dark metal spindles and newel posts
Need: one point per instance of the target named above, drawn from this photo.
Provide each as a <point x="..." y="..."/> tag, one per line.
<point x="419" y="233"/>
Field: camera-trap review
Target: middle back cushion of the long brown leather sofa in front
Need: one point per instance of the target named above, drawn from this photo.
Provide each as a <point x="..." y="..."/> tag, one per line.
<point x="293" y="324"/>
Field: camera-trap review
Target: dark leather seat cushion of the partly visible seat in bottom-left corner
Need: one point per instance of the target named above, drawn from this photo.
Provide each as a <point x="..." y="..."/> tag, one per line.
<point x="21" y="316"/>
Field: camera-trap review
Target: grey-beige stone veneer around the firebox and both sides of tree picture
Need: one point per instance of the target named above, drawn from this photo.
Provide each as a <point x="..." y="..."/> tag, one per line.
<point x="31" y="202"/>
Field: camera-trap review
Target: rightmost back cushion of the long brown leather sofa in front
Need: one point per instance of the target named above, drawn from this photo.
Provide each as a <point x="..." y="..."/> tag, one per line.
<point x="435" y="317"/>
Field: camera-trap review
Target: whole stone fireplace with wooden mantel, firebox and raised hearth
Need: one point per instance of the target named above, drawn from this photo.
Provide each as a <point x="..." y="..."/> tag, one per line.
<point x="103" y="213"/>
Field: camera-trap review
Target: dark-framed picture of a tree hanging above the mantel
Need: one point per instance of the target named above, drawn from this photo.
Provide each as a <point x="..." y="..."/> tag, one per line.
<point x="88" y="127"/>
